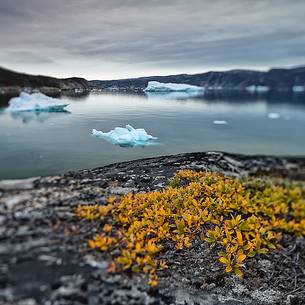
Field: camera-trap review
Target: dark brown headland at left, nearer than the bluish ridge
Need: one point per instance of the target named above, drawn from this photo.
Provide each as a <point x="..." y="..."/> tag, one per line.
<point x="11" y="79"/>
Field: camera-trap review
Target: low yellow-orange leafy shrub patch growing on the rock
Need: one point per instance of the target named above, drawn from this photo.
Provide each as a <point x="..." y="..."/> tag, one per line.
<point x="243" y="218"/>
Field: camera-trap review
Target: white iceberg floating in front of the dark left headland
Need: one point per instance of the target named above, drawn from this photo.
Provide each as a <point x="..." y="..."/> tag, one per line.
<point x="35" y="102"/>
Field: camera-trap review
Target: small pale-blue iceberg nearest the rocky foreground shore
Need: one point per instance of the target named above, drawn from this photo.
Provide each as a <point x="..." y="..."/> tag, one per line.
<point x="127" y="137"/>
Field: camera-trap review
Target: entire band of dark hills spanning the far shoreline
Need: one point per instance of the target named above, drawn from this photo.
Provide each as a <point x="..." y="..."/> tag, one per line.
<point x="276" y="80"/>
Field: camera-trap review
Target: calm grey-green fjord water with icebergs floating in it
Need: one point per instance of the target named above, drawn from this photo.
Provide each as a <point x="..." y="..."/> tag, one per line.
<point x="37" y="144"/>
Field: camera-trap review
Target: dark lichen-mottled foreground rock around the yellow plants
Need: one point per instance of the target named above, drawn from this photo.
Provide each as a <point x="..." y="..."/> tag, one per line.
<point x="45" y="259"/>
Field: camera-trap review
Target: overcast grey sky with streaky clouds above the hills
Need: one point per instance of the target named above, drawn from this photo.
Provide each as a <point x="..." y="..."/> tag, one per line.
<point x="99" y="39"/>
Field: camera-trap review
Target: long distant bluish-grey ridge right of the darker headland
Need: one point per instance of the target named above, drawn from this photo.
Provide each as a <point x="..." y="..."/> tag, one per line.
<point x="275" y="79"/>
